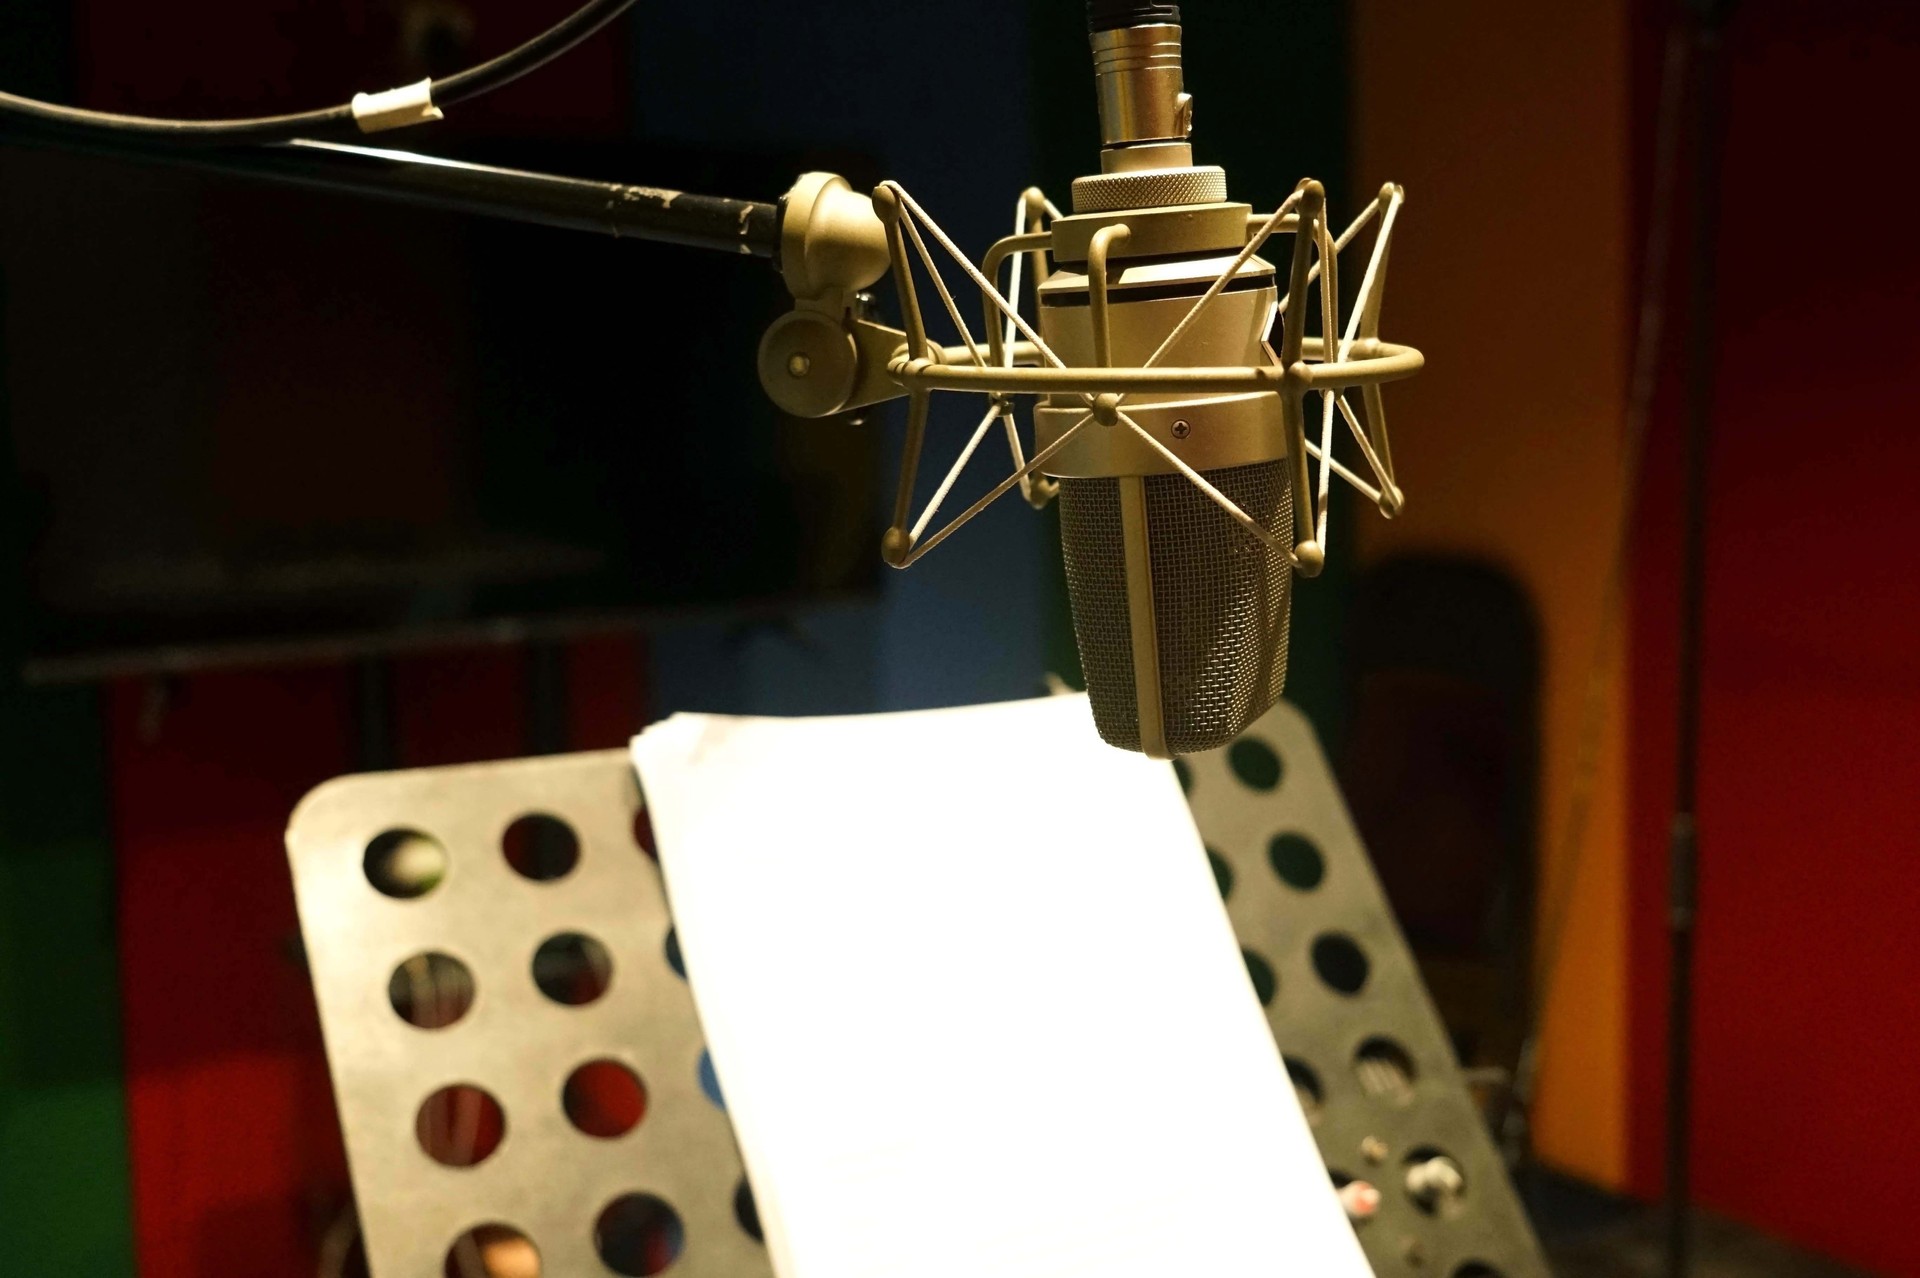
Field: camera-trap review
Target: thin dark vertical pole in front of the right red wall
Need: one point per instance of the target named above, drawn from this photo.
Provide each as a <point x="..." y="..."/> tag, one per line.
<point x="1683" y="847"/>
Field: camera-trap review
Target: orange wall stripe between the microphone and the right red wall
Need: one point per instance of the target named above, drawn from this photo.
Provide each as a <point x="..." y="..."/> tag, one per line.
<point x="1508" y="124"/>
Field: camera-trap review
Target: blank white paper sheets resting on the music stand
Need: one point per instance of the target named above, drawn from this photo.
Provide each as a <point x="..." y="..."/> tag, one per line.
<point x="976" y="1006"/>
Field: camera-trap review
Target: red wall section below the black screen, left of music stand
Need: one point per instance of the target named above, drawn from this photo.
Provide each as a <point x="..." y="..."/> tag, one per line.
<point x="237" y="1162"/>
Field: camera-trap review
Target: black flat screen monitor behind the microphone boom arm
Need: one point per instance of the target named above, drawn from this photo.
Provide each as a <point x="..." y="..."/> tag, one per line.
<point x="254" y="421"/>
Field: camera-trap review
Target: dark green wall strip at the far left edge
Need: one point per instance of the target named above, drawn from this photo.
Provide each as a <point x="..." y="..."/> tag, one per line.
<point x="66" y="1202"/>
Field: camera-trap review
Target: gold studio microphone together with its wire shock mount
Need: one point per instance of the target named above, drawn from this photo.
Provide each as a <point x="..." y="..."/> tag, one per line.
<point x="1172" y="369"/>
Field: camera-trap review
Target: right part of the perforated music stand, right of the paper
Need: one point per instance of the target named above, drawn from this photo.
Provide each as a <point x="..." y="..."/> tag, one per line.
<point x="1347" y="1005"/>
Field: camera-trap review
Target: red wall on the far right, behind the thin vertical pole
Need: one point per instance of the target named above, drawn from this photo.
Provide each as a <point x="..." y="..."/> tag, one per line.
<point x="1810" y="983"/>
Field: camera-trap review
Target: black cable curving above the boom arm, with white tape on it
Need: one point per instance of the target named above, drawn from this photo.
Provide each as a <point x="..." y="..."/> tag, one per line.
<point x="450" y="91"/>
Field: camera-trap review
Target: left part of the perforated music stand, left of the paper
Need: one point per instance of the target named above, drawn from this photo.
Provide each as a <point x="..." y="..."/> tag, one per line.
<point x="546" y="1181"/>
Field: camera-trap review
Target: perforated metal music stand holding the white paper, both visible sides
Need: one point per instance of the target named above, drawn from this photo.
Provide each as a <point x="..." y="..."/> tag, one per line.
<point x="1343" y="995"/>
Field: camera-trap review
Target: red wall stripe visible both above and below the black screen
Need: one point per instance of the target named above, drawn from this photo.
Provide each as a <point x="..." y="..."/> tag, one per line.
<point x="237" y="1164"/>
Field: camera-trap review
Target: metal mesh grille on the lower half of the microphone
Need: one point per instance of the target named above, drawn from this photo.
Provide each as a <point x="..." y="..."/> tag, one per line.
<point x="1220" y="603"/>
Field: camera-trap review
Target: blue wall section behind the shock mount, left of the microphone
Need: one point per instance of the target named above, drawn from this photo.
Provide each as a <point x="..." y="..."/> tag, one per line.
<point x="940" y="99"/>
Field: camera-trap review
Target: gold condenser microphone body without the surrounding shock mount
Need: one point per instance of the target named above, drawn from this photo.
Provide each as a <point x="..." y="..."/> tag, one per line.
<point x="1180" y="615"/>
